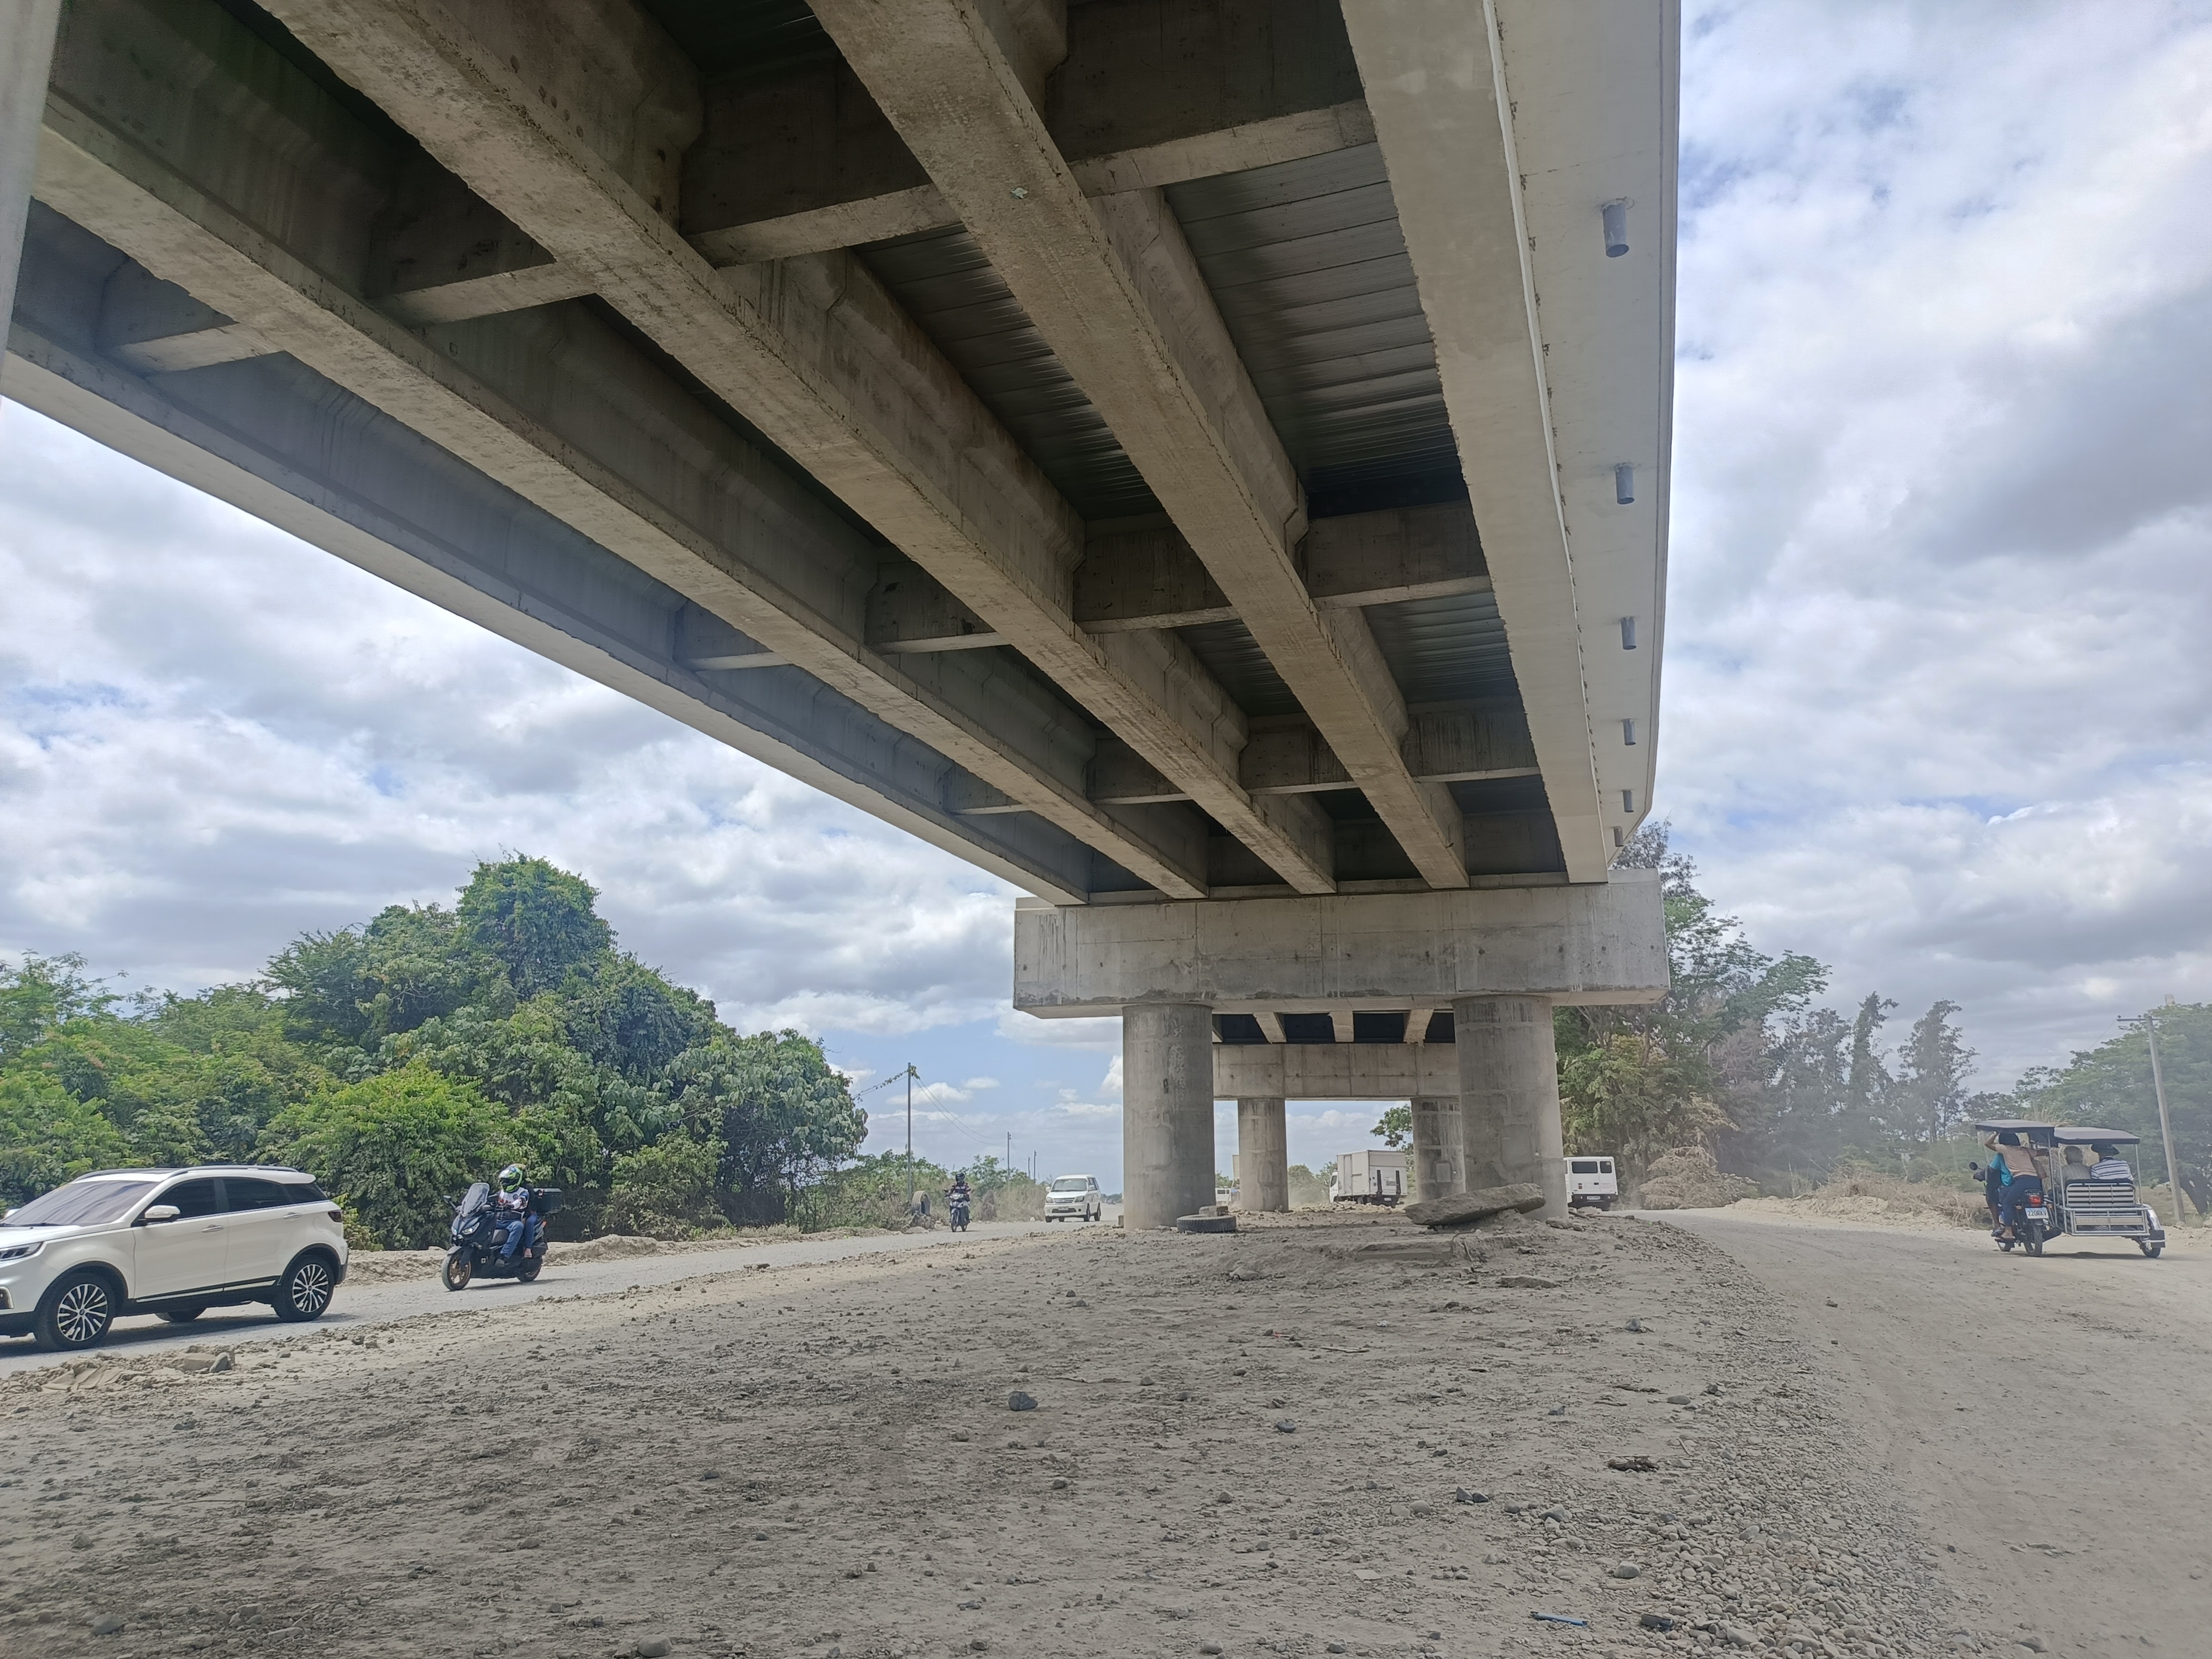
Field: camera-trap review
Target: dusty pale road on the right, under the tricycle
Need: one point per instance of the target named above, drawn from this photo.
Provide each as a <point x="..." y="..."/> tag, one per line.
<point x="2052" y="1419"/>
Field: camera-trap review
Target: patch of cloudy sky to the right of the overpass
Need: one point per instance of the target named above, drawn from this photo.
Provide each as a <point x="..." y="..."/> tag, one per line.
<point x="1934" y="669"/>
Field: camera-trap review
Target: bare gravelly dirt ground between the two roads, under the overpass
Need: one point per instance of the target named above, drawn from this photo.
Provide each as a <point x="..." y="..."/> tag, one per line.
<point x="1242" y="1443"/>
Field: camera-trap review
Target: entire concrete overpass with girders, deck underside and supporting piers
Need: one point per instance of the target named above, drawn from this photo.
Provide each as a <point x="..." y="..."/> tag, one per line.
<point x="1202" y="461"/>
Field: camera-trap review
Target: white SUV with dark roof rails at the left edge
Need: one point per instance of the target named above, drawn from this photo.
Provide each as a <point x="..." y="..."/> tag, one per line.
<point x="171" y="1244"/>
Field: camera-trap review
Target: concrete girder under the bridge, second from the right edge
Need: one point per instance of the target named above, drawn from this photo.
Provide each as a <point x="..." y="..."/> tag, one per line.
<point x="1118" y="295"/>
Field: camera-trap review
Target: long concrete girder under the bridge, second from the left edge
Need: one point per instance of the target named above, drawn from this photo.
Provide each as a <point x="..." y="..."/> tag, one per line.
<point x="793" y="576"/>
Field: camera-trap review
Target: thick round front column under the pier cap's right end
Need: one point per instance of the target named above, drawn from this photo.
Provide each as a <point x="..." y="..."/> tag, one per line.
<point x="1510" y="1096"/>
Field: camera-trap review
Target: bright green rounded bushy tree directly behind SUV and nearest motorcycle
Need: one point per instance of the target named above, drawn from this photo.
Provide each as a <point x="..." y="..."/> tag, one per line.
<point x="395" y="1147"/>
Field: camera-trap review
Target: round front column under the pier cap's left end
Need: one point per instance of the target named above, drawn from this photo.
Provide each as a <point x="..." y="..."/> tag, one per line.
<point x="1167" y="1112"/>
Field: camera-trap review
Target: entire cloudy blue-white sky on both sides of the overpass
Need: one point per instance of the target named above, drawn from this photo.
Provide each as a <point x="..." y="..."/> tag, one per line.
<point x="1937" y="665"/>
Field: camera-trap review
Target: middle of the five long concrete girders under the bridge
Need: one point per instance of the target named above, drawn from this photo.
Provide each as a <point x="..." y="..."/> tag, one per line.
<point x="820" y="359"/>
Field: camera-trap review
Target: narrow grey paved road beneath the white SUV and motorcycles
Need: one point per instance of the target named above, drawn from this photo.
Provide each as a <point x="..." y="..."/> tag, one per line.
<point x="364" y="1304"/>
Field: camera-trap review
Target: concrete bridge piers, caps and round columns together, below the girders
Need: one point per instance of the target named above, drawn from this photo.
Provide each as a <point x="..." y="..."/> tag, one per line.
<point x="1496" y="961"/>
